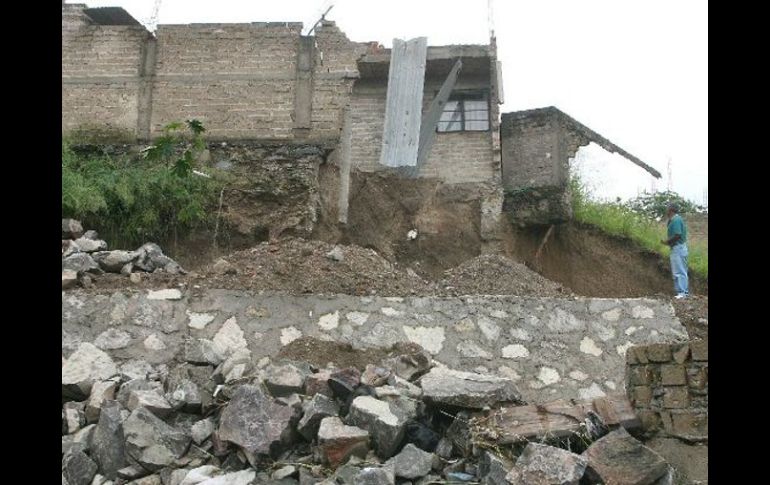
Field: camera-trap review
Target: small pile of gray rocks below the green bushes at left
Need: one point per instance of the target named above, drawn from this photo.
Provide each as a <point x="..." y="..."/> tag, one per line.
<point x="84" y="254"/>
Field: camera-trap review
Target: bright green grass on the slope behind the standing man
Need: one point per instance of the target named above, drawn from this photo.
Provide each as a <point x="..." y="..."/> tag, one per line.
<point x="622" y="220"/>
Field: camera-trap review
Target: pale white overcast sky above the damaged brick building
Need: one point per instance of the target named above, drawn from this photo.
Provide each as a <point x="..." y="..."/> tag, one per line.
<point x="635" y="71"/>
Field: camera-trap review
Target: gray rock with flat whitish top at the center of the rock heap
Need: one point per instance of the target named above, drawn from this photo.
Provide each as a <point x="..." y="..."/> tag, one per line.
<point x="385" y="422"/>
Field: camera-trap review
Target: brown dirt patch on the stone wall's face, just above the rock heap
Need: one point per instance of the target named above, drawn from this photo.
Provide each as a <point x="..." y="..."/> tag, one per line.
<point x="320" y="352"/>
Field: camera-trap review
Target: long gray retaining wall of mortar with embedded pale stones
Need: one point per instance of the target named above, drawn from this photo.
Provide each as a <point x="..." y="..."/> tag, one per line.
<point x="553" y="348"/>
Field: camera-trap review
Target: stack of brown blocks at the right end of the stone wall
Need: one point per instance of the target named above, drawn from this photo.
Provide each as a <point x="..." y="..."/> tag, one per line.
<point x="668" y="387"/>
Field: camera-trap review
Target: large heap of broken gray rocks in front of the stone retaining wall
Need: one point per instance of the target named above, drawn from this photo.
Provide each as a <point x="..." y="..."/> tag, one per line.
<point x="219" y="418"/>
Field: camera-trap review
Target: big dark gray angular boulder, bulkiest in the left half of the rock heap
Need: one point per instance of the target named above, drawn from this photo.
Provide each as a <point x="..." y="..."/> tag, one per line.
<point x="255" y="423"/>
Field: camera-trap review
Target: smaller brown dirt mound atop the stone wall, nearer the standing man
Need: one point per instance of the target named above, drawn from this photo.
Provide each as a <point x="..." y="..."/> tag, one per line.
<point x="497" y="275"/>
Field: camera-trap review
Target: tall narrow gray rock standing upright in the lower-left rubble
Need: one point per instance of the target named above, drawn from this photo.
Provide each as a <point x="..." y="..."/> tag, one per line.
<point x="108" y="440"/>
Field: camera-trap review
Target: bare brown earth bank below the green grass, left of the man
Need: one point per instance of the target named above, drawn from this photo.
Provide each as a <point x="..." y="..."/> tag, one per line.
<point x="592" y="263"/>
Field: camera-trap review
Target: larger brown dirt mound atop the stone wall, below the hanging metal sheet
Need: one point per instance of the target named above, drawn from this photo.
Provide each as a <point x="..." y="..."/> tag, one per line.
<point x="300" y="266"/>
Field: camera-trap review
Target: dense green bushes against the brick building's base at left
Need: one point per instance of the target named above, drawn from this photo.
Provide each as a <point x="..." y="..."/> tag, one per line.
<point x="131" y="199"/>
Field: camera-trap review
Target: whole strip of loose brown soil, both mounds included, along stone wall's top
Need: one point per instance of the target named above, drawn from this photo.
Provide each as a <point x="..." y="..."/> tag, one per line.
<point x="298" y="266"/>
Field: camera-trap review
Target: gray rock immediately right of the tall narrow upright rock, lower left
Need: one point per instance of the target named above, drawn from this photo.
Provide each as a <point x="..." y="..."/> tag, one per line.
<point x="151" y="442"/>
